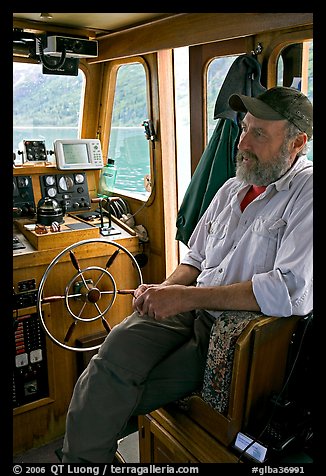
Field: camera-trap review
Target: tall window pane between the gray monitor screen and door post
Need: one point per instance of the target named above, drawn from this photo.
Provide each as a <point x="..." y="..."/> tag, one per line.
<point x="128" y="145"/>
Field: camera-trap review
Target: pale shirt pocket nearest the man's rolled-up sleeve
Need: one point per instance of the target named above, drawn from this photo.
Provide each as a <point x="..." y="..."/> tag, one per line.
<point x="267" y="233"/>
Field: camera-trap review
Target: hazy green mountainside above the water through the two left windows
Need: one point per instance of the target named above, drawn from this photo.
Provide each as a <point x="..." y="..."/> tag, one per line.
<point x="55" y="100"/>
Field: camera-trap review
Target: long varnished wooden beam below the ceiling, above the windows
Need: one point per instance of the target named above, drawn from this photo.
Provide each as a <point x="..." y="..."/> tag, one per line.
<point x="186" y="29"/>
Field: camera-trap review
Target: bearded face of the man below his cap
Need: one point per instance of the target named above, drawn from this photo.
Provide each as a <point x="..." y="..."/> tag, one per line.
<point x="263" y="156"/>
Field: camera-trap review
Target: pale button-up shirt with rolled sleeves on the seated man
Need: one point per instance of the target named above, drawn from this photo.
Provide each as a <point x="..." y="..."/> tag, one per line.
<point x="270" y="242"/>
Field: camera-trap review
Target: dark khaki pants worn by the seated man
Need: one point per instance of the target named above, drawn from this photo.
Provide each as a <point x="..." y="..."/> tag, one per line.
<point x="142" y="365"/>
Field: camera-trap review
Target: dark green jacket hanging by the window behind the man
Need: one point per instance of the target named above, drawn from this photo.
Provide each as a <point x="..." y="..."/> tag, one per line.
<point x="217" y="164"/>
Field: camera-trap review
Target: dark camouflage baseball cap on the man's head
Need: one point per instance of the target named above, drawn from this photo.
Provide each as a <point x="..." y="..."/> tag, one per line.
<point x="276" y="104"/>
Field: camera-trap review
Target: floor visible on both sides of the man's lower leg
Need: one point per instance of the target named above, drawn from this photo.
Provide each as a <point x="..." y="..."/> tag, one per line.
<point x="128" y="448"/>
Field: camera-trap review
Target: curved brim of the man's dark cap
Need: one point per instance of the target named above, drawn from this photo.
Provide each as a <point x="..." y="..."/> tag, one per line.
<point x="256" y="107"/>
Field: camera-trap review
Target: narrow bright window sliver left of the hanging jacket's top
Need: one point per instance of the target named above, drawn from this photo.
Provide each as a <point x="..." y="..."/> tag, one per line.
<point x="216" y="73"/>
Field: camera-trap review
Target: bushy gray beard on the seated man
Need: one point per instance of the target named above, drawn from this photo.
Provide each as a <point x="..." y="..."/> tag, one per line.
<point x="261" y="174"/>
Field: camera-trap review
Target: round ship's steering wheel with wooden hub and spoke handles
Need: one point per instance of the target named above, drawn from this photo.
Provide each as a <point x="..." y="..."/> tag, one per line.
<point x="88" y="295"/>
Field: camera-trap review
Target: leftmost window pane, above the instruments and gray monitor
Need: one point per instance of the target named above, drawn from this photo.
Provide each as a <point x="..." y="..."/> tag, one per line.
<point x="45" y="107"/>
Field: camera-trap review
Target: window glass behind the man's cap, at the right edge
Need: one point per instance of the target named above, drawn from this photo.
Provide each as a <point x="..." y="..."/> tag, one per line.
<point x="295" y="68"/>
